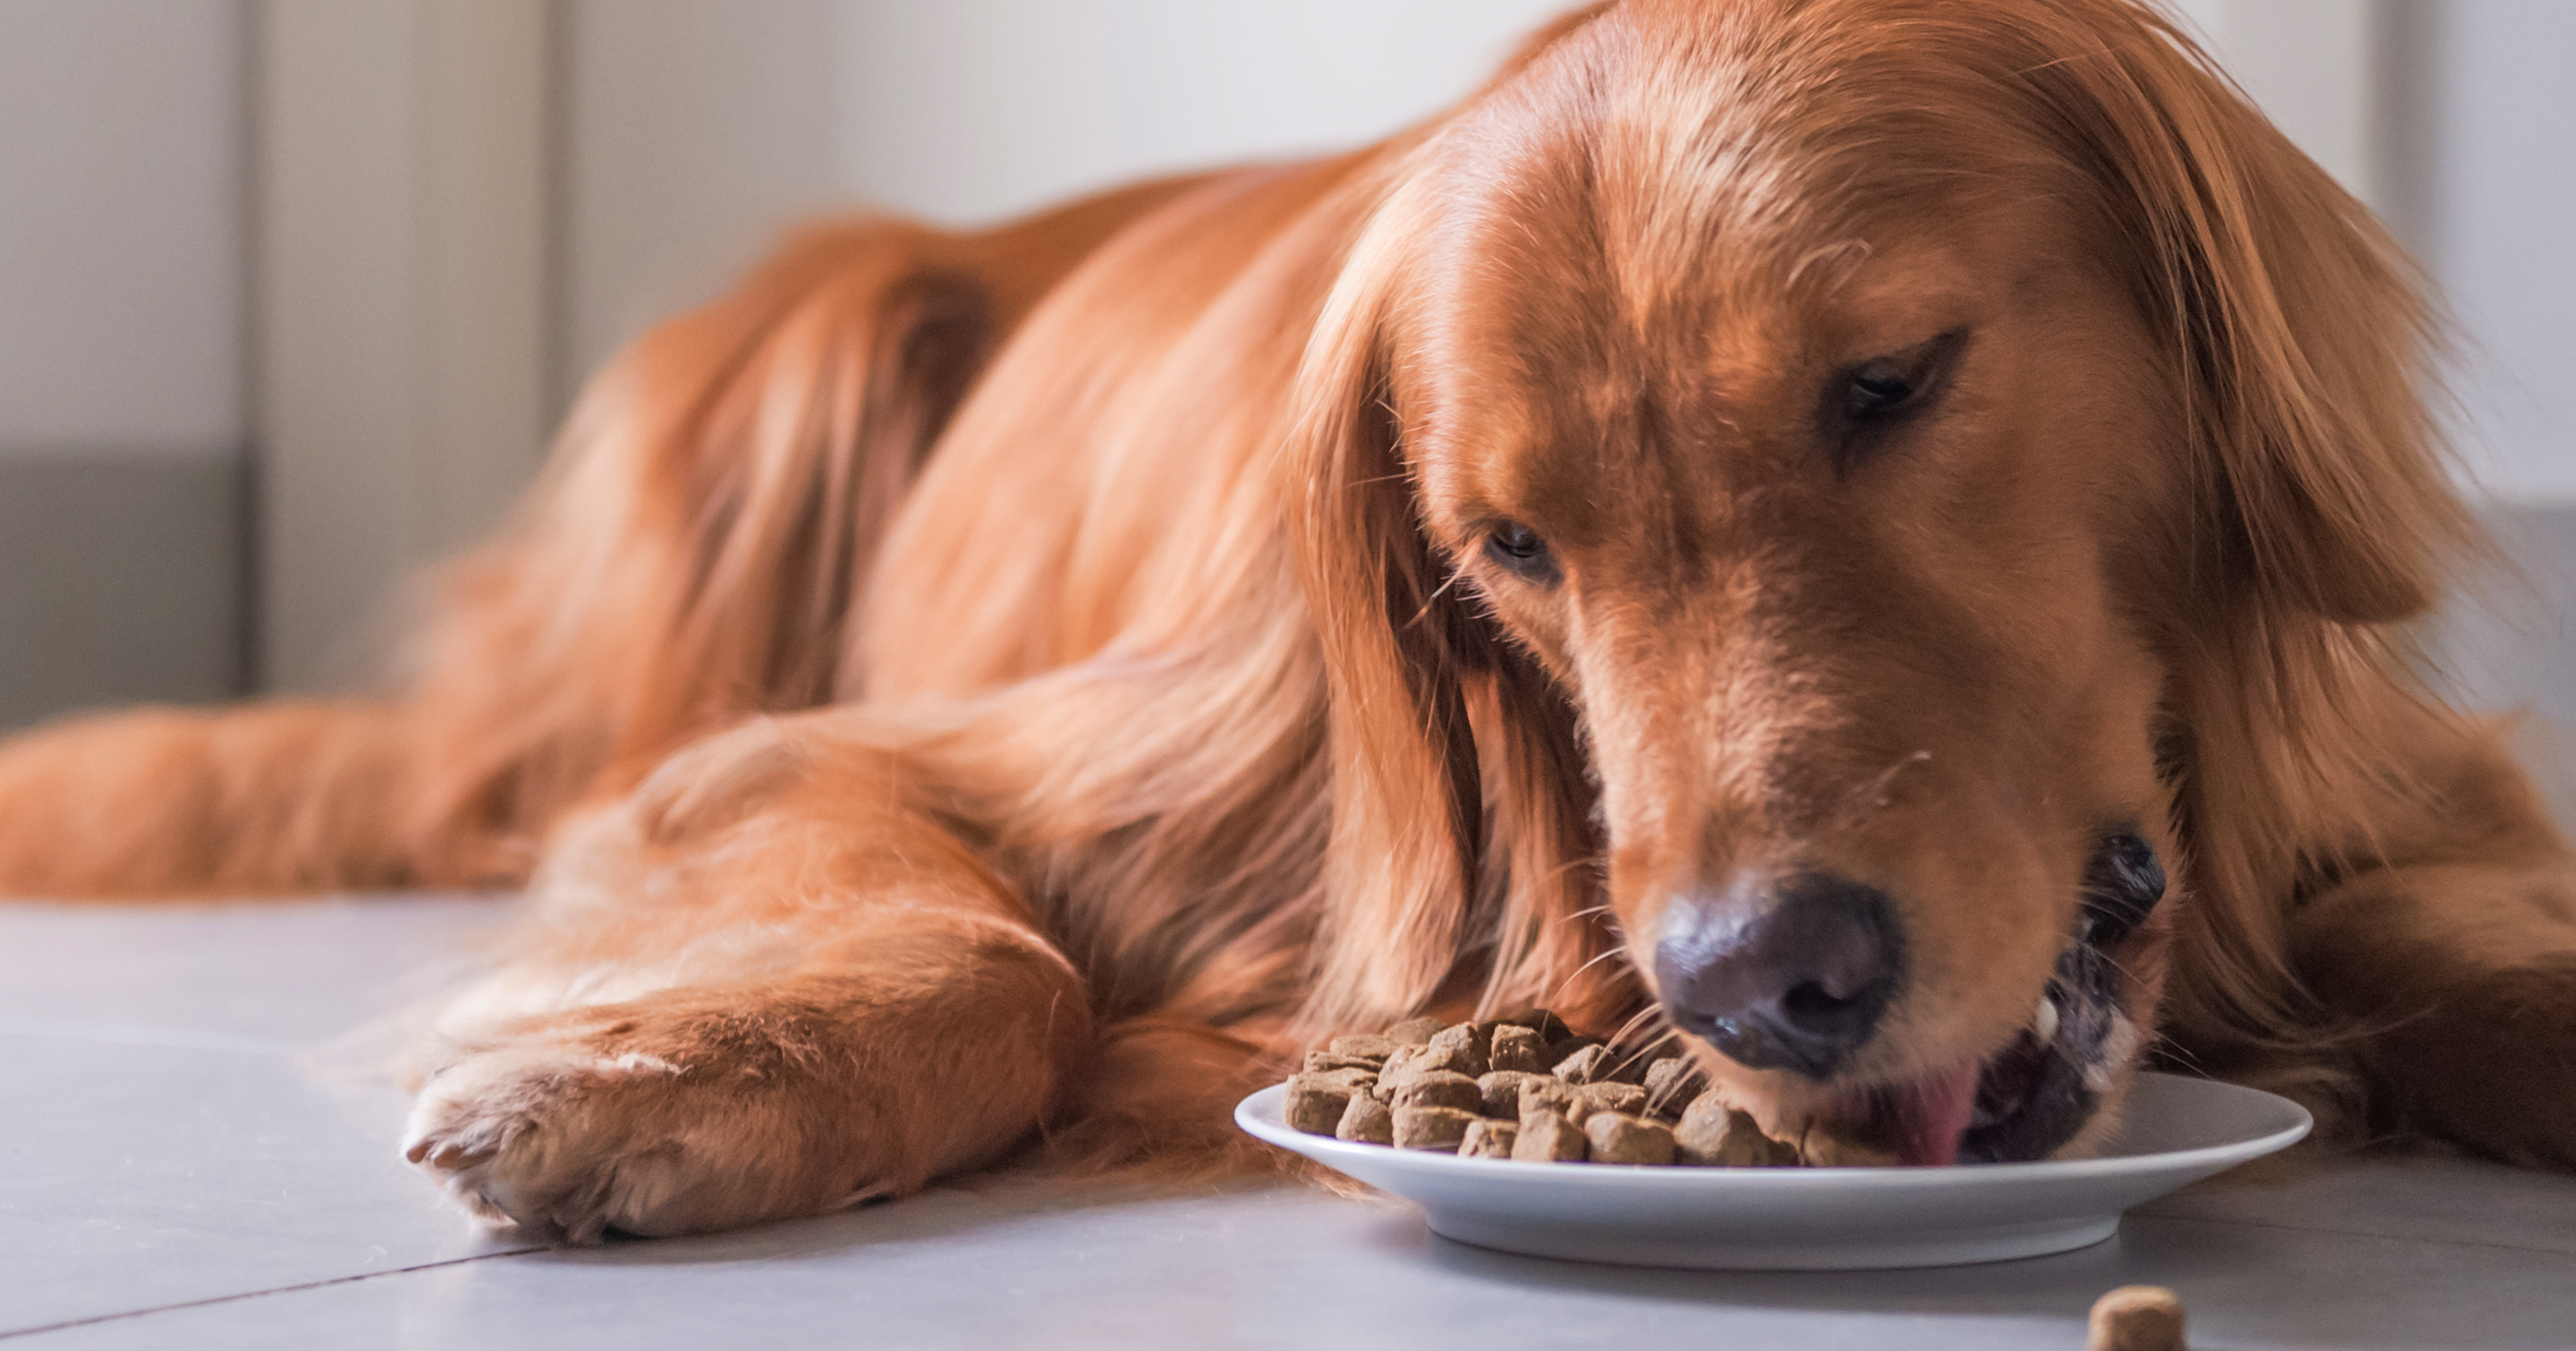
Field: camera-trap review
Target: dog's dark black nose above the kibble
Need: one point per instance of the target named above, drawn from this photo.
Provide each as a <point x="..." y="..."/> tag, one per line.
<point x="1781" y="978"/>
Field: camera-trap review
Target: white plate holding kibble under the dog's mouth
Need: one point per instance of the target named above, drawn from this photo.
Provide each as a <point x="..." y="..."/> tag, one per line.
<point x="2178" y="1133"/>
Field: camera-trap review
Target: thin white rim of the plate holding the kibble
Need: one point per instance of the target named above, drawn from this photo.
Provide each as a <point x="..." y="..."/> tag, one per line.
<point x="1261" y="1118"/>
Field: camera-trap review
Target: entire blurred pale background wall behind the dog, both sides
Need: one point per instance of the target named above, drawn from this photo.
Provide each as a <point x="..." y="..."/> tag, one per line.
<point x="295" y="290"/>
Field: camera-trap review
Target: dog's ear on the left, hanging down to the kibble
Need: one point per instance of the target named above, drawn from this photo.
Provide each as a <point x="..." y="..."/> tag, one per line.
<point x="1462" y="842"/>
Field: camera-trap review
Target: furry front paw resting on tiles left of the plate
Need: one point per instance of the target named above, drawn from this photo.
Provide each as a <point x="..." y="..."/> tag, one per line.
<point x="568" y="1138"/>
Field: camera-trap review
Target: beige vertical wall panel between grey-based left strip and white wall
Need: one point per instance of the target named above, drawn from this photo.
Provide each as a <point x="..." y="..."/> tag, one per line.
<point x="403" y="306"/>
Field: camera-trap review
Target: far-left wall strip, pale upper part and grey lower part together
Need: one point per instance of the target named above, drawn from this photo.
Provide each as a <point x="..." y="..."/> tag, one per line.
<point x="125" y="437"/>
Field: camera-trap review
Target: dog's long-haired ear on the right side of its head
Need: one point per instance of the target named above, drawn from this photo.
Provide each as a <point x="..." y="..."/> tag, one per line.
<point x="2297" y="321"/>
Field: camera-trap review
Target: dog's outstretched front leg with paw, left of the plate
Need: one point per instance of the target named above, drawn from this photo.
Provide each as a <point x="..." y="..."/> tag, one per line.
<point x="766" y="986"/>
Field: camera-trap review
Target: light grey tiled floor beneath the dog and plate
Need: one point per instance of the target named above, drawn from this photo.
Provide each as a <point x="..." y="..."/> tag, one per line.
<point x="192" y="1154"/>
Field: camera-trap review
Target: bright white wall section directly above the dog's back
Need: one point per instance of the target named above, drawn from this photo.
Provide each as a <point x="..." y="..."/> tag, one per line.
<point x="702" y="130"/>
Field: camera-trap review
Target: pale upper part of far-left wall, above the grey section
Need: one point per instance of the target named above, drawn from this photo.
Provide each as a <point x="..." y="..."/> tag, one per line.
<point x="120" y="228"/>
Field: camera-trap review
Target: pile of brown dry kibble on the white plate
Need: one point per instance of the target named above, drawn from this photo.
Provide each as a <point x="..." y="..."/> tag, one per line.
<point x="1526" y="1089"/>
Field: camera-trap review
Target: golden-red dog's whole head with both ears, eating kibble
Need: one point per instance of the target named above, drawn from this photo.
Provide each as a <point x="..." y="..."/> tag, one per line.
<point x="1817" y="463"/>
